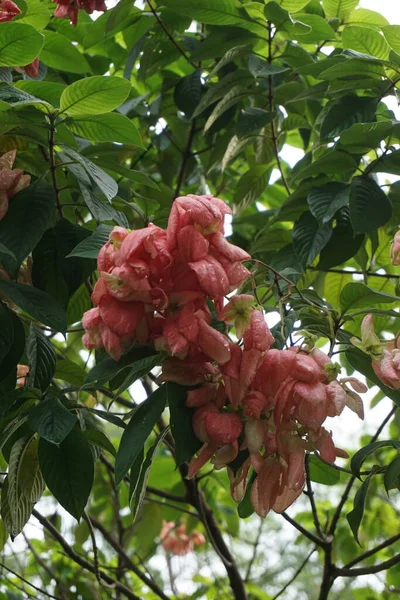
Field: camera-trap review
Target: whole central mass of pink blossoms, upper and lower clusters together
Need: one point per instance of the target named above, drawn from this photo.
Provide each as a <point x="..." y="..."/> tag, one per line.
<point x="167" y="288"/>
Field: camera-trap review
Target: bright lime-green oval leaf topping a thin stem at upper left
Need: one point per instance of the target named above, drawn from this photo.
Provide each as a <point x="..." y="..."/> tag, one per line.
<point x="94" y="95"/>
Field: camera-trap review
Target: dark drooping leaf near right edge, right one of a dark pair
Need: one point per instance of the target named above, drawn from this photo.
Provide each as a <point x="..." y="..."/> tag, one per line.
<point x="370" y="208"/>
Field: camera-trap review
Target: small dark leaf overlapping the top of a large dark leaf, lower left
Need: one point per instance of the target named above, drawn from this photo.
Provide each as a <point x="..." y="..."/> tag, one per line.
<point x="51" y="420"/>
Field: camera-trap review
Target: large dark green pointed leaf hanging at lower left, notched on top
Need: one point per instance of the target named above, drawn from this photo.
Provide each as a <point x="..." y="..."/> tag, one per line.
<point x="68" y="471"/>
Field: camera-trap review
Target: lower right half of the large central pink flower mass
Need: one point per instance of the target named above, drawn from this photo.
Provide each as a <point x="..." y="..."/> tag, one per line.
<point x="273" y="404"/>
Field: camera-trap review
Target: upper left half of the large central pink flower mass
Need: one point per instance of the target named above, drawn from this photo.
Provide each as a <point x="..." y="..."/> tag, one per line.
<point x="154" y="284"/>
